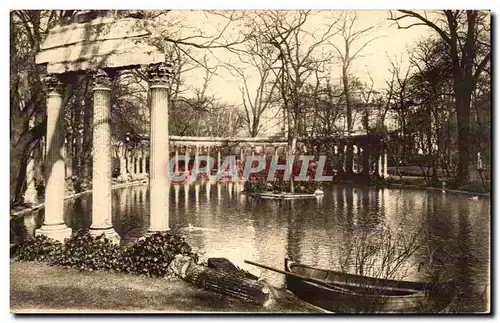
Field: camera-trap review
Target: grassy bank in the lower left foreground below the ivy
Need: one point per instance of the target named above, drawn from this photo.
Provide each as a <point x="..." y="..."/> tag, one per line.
<point x="38" y="287"/>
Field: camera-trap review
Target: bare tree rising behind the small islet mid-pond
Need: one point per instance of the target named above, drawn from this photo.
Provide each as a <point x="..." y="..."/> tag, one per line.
<point x="298" y="56"/>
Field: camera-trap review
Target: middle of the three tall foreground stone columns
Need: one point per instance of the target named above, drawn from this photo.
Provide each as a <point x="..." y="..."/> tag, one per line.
<point x="101" y="159"/>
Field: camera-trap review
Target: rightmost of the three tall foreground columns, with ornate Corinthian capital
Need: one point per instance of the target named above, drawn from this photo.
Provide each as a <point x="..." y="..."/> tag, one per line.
<point x="159" y="181"/>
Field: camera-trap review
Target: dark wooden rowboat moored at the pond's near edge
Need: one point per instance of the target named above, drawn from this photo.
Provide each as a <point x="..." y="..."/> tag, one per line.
<point x="346" y="293"/>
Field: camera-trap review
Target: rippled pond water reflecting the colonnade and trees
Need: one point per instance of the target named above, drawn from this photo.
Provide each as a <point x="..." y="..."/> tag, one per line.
<point x="393" y="233"/>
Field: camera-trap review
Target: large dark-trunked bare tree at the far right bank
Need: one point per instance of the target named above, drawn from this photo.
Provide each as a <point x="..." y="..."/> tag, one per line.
<point x="467" y="35"/>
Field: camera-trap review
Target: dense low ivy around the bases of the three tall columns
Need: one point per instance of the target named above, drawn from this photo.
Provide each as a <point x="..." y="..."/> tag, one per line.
<point x="150" y="256"/>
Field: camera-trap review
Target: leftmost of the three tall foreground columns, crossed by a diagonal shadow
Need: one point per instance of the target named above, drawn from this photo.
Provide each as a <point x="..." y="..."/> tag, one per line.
<point x="53" y="224"/>
